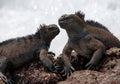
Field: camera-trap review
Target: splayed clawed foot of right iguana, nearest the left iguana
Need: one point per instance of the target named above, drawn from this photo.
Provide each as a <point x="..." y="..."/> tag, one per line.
<point x="65" y="71"/>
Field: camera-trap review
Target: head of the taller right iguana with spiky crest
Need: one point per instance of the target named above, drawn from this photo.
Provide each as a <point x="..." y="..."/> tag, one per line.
<point x="67" y="21"/>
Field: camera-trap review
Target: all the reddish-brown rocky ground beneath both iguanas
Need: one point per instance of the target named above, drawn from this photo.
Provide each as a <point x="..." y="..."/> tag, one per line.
<point x="109" y="73"/>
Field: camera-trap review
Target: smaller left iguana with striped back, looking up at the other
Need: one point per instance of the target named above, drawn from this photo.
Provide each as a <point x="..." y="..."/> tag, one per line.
<point x="14" y="53"/>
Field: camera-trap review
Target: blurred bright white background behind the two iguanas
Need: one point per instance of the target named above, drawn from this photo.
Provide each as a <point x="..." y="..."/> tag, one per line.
<point x="22" y="17"/>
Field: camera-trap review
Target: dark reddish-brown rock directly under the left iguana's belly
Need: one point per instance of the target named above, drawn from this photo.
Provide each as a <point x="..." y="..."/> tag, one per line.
<point x="35" y="73"/>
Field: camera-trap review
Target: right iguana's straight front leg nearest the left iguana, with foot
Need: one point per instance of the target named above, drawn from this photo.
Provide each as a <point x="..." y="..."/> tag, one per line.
<point x="68" y="69"/>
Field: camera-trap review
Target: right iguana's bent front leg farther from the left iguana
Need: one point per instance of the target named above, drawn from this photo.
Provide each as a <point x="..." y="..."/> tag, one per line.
<point x="99" y="49"/>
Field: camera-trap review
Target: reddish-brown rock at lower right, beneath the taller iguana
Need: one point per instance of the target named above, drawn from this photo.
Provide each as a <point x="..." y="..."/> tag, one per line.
<point x="109" y="72"/>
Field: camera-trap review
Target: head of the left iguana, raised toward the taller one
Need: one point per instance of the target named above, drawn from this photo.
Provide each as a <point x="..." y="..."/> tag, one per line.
<point x="47" y="32"/>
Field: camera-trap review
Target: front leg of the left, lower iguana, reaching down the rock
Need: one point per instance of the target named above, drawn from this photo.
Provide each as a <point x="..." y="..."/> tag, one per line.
<point x="46" y="61"/>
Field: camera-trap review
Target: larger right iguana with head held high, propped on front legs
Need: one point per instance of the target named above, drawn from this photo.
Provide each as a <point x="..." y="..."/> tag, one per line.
<point x="85" y="39"/>
